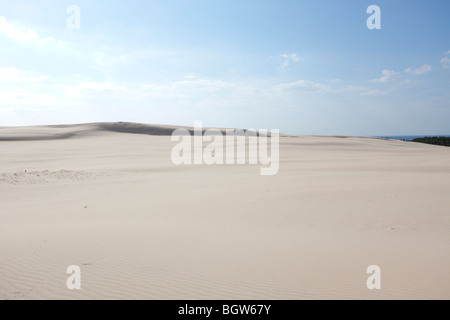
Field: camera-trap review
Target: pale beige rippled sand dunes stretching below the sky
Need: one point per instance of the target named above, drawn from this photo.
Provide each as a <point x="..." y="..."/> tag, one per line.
<point x="142" y="228"/>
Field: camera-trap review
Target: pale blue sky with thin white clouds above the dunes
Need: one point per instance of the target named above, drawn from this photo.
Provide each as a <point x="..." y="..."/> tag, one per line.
<point x="305" y="67"/>
